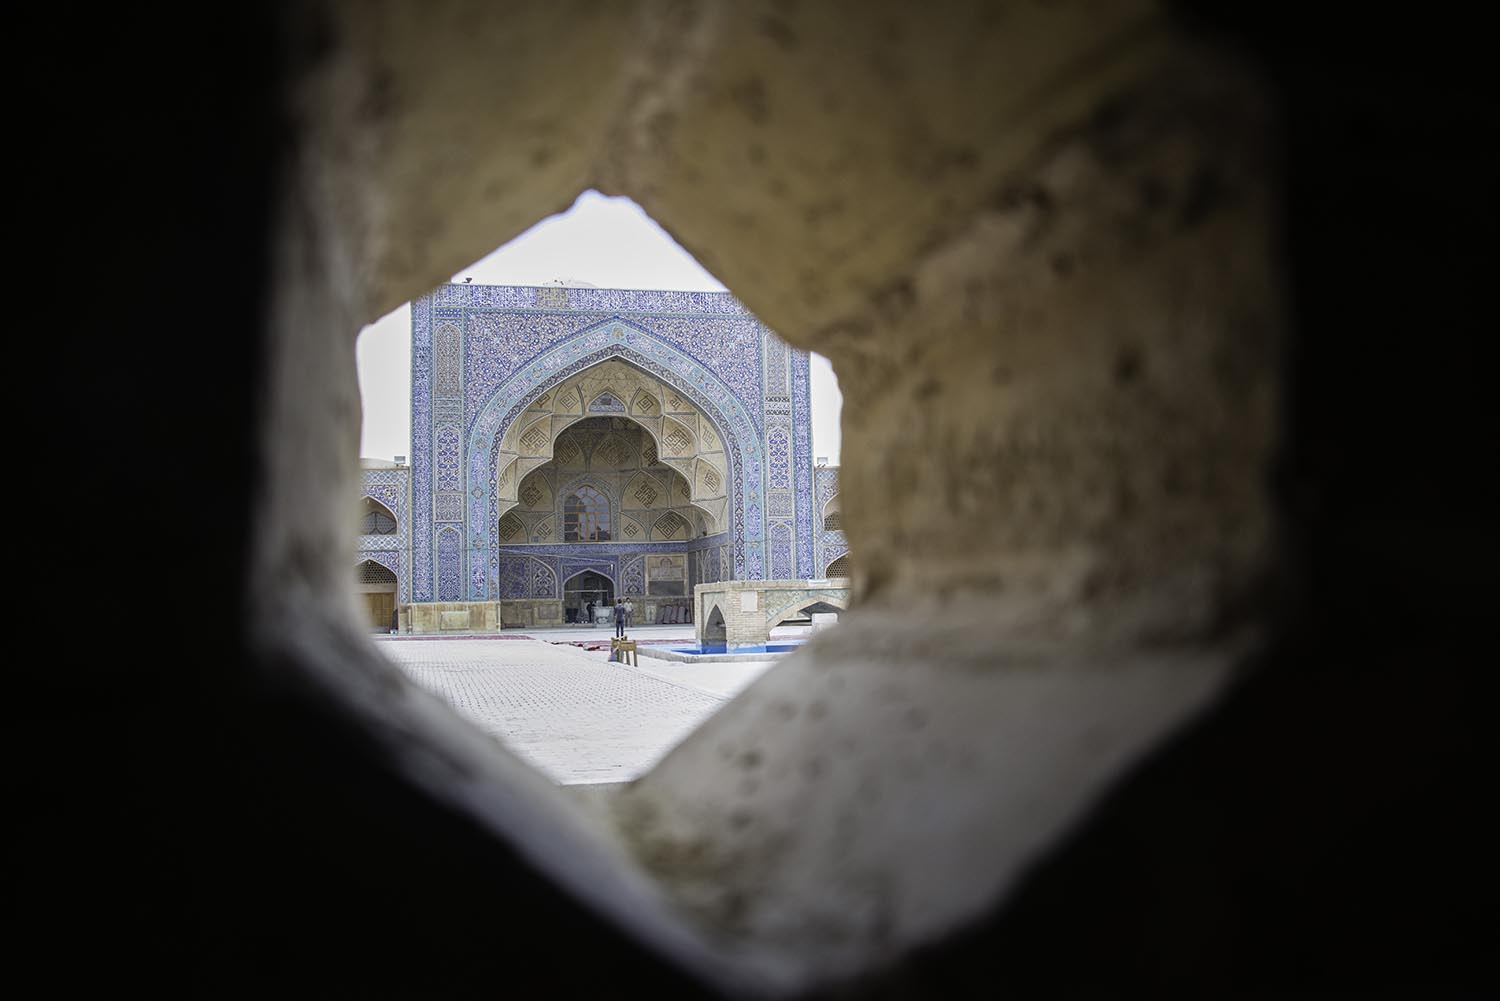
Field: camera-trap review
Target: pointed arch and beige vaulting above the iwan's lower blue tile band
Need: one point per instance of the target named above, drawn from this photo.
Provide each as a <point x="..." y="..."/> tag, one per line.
<point x="607" y="395"/>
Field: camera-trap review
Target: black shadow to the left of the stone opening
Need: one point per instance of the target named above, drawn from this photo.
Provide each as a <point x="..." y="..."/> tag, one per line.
<point x="193" y="816"/>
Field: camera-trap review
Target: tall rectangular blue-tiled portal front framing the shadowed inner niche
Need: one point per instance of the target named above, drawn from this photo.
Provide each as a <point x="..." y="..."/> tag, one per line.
<point x="724" y="401"/>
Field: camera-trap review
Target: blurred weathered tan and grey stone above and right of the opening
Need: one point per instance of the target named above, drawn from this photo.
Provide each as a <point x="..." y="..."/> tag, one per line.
<point x="1036" y="242"/>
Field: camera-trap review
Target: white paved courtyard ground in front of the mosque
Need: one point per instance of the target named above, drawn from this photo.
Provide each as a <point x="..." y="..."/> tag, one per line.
<point x="572" y="714"/>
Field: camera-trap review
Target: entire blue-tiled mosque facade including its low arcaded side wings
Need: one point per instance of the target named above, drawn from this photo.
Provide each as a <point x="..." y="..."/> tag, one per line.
<point x="571" y="445"/>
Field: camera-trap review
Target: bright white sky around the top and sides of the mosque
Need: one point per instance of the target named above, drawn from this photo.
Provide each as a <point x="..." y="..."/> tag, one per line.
<point x="605" y="242"/>
